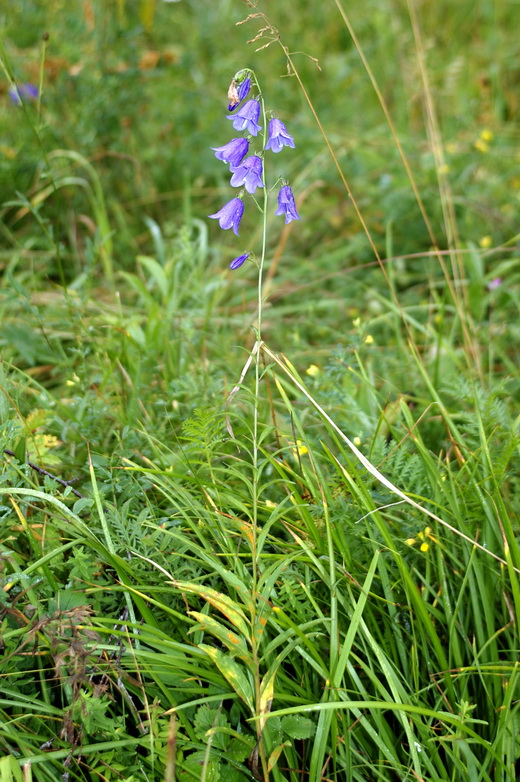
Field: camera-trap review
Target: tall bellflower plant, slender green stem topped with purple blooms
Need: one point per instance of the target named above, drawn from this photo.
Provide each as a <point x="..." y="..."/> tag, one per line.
<point x="250" y="173"/>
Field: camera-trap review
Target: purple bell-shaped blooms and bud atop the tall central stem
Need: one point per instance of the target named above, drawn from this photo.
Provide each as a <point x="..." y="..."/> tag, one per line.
<point x="247" y="172"/>
